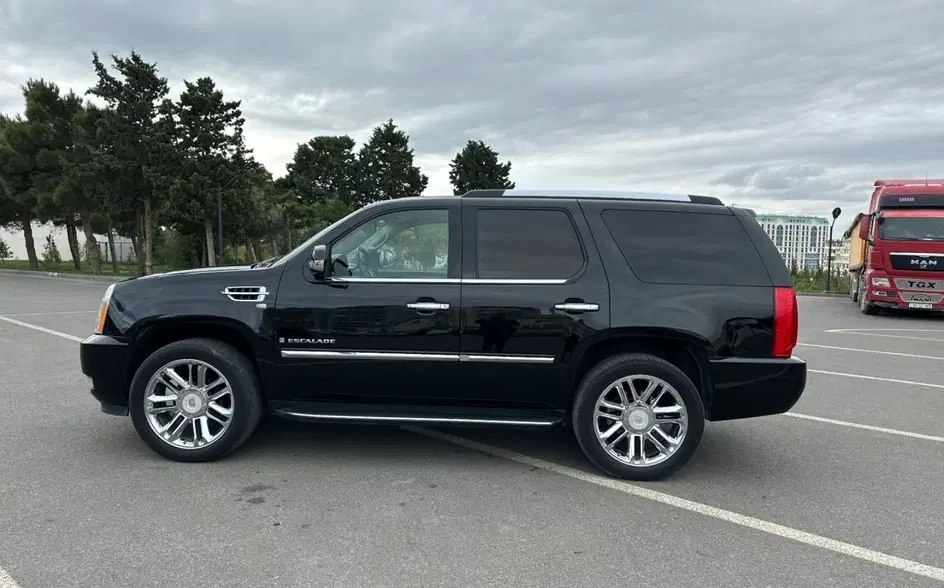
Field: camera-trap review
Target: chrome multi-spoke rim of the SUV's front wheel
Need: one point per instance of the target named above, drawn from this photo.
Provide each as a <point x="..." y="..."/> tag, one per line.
<point x="188" y="404"/>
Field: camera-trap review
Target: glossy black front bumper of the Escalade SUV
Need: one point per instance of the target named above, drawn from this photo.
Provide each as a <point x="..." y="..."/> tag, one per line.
<point x="105" y="360"/>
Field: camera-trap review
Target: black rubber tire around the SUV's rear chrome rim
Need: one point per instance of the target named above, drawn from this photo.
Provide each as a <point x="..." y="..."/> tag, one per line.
<point x="599" y="379"/>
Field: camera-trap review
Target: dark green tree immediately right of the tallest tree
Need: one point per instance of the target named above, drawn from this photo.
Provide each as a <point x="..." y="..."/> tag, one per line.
<point x="212" y="162"/>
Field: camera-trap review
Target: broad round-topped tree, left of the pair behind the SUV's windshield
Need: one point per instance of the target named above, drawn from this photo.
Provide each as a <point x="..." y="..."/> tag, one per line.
<point x="324" y="168"/>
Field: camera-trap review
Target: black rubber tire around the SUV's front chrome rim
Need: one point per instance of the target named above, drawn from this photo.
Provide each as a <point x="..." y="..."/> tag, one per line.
<point x="243" y="380"/>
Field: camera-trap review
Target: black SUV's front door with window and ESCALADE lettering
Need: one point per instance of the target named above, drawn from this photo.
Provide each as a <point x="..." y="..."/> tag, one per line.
<point x="384" y="326"/>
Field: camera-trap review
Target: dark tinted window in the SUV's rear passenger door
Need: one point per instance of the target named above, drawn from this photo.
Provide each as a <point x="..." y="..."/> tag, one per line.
<point x="526" y="245"/>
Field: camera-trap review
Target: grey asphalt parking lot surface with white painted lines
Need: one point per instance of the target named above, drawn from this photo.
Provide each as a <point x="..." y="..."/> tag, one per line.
<point x="843" y="491"/>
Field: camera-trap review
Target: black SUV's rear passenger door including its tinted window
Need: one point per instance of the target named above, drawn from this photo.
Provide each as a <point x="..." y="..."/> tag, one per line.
<point x="533" y="293"/>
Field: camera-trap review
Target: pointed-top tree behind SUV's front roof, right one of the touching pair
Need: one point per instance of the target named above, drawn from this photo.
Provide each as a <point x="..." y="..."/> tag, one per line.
<point x="386" y="169"/>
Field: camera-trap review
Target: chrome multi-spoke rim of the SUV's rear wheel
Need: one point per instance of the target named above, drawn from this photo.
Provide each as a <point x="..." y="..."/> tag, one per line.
<point x="640" y="420"/>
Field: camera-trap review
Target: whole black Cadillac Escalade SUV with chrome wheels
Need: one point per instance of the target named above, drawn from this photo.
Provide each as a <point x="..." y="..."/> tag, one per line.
<point x="631" y="318"/>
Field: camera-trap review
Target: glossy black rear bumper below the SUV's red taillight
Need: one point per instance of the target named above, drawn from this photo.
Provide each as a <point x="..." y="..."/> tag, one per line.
<point x="748" y="387"/>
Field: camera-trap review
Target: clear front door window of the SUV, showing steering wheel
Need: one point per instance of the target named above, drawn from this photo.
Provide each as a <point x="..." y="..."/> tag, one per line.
<point x="410" y="244"/>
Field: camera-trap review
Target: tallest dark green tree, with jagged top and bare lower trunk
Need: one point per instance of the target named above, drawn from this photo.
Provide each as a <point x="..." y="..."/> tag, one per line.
<point x="139" y="152"/>
